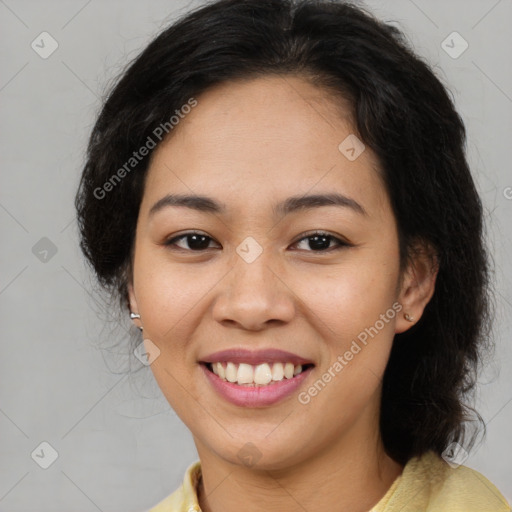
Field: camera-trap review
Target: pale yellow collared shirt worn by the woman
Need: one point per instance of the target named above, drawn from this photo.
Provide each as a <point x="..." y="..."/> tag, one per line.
<point x="427" y="484"/>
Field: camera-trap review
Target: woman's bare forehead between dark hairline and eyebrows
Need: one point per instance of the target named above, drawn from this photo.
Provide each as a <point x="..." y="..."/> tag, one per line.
<point x="255" y="141"/>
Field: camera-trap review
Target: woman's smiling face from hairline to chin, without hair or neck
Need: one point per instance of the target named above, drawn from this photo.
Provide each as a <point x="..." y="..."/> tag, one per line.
<point x="259" y="273"/>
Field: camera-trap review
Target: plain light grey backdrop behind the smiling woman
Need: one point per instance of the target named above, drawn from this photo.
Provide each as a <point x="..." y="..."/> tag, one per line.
<point x="119" y="445"/>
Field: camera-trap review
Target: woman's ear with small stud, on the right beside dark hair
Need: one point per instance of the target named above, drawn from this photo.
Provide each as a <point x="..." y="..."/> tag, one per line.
<point x="417" y="285"/>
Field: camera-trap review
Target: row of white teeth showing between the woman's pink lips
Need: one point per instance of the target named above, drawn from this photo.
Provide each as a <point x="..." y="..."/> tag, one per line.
<point x="248" y="375"/>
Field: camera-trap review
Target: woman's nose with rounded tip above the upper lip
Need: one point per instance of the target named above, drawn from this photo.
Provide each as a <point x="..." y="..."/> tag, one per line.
<point x="254" y="296"/>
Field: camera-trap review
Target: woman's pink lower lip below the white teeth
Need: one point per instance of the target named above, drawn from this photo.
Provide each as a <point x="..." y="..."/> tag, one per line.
<point x="255" y="396"/>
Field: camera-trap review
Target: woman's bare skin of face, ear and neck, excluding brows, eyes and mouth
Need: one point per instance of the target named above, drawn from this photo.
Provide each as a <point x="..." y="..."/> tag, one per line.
<point x="249" y="145"/>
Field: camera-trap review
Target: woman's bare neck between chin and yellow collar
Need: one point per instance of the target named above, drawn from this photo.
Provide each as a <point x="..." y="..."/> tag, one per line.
<point x="352" y="474"/>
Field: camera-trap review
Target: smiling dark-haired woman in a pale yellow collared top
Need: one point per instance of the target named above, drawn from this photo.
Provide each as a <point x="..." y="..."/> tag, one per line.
<point x="278" y="194"/>
